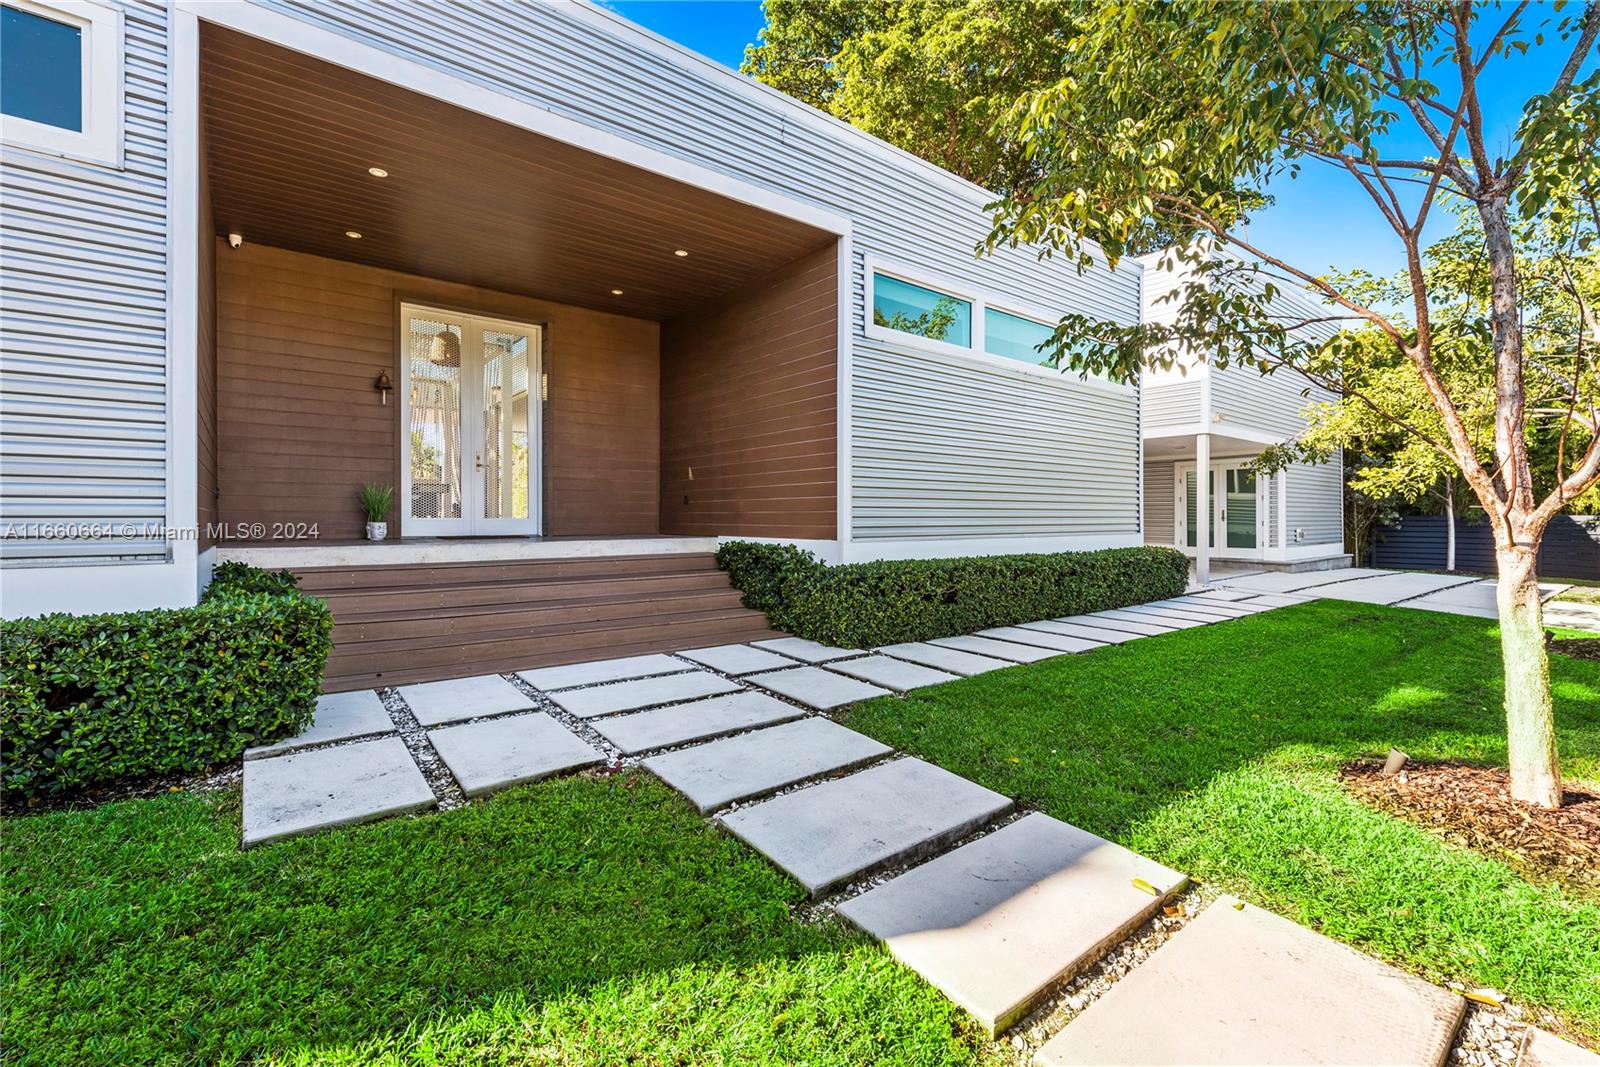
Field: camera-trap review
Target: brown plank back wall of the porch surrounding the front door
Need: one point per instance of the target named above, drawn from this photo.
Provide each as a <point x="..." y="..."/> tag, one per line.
<point x="300" y="426"/>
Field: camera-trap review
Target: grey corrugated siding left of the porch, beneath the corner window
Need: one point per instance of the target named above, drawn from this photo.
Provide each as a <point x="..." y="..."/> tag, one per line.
<point x="84" y="327"/>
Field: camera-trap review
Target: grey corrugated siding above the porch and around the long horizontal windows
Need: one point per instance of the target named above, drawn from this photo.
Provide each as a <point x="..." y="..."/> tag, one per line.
<point x="999" y="454"/>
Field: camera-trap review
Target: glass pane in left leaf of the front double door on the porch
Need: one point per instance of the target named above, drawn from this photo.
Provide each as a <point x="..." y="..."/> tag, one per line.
<point x="434" y="418"/>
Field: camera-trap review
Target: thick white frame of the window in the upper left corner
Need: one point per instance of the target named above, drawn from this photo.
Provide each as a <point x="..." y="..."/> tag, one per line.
<point x="100" y="142"/>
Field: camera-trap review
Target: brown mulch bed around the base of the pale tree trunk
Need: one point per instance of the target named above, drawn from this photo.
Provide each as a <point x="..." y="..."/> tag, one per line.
<point x="1473" y="807"/>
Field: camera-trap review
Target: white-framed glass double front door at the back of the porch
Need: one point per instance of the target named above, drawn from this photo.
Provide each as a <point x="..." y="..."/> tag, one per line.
<point x="471" y="425"/>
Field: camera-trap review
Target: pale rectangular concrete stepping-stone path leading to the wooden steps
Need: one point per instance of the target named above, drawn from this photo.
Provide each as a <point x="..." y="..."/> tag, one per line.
<point x="994" y="922"/>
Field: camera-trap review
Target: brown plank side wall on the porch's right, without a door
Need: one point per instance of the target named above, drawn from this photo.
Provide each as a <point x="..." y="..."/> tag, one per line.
<point x="748" y="404"/>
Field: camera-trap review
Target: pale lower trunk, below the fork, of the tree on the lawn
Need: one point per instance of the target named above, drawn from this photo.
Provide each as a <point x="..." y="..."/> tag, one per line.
<point x="1530" y="709"/>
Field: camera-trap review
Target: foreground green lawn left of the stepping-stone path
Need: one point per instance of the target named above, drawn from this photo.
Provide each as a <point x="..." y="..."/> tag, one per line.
<point x="580" y="922"/>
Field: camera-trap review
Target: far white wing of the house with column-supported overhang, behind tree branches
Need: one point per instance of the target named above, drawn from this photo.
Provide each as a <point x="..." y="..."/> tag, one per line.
<point x="1207" y="418"/>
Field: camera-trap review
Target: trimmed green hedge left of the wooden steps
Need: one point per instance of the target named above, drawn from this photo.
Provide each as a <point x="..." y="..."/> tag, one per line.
<point x="89" y="700"/>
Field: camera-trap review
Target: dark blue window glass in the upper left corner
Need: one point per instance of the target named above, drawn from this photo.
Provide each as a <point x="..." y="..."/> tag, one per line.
<point x="42" y="70"/>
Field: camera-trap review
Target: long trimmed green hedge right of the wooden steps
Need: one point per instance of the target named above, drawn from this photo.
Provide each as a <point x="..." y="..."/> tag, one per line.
<point x="862" y="605"/>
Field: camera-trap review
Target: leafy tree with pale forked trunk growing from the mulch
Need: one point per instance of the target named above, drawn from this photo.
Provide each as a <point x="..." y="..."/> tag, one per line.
<point x="1182" y="114"/>
